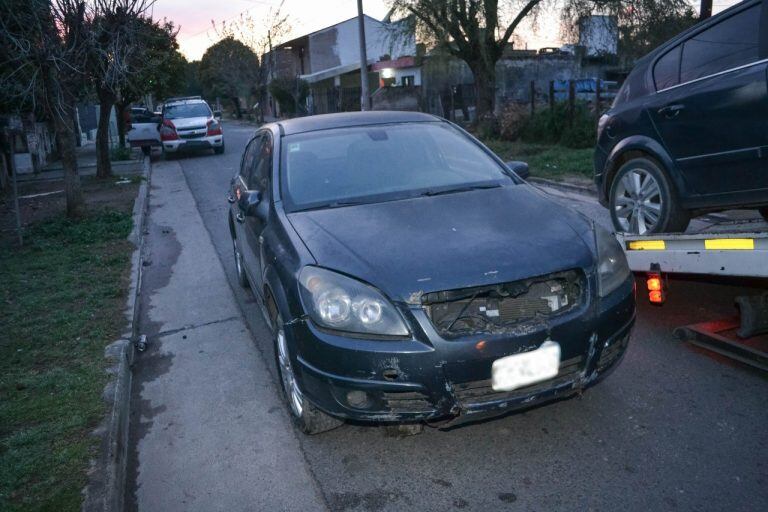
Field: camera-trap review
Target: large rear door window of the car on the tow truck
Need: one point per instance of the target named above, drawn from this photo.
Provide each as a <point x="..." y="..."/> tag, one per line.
<point x="731" y="43"/>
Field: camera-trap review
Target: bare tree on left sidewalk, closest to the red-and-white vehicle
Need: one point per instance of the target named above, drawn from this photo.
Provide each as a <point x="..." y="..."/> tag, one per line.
<point x="116" y="31"/>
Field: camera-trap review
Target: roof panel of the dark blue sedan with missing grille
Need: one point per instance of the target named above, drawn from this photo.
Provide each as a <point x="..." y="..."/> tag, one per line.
<point x="350" y="119"/>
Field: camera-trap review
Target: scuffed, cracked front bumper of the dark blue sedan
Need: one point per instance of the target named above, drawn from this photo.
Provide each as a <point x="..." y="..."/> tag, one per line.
<point x="429" y="378"/>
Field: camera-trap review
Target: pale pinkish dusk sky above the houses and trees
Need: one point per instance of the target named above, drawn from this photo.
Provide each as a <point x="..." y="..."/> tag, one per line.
<point x="194" y="17"/>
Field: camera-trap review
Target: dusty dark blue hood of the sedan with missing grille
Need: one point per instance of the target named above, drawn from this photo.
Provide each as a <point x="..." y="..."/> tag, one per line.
<point x="426" y="244"/>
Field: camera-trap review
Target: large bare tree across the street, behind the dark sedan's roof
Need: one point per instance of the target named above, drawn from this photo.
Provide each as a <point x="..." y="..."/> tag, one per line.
<point x="475" y="31"/>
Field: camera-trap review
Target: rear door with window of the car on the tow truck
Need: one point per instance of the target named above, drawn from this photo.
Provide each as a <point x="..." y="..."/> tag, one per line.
<point x="711" y="105"/>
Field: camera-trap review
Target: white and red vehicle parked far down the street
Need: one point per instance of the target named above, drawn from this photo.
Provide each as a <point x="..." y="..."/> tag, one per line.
<point x="188" y="123"/>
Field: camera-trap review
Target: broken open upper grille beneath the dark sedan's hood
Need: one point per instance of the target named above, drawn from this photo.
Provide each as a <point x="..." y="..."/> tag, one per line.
<point x="502" y="307"/>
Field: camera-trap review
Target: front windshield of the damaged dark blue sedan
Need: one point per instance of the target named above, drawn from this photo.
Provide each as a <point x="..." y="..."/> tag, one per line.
<point x="366" y="164"/>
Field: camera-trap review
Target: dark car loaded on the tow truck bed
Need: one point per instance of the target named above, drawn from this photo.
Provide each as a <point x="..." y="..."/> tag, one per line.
<point x="688" y="130"/>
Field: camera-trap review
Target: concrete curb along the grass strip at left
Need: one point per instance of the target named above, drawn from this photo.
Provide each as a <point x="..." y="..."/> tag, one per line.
<point x="105" y="490"/>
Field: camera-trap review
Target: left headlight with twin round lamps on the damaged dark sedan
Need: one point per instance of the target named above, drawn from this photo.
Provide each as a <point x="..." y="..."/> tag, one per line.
<point x="344" y="304"/>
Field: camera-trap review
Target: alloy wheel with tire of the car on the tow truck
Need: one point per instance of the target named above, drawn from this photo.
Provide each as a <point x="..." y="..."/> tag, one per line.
<point x="642" y="200"/>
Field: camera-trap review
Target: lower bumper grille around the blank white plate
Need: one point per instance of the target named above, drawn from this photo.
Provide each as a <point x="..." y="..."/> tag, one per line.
<point x="480" y="391"/>
